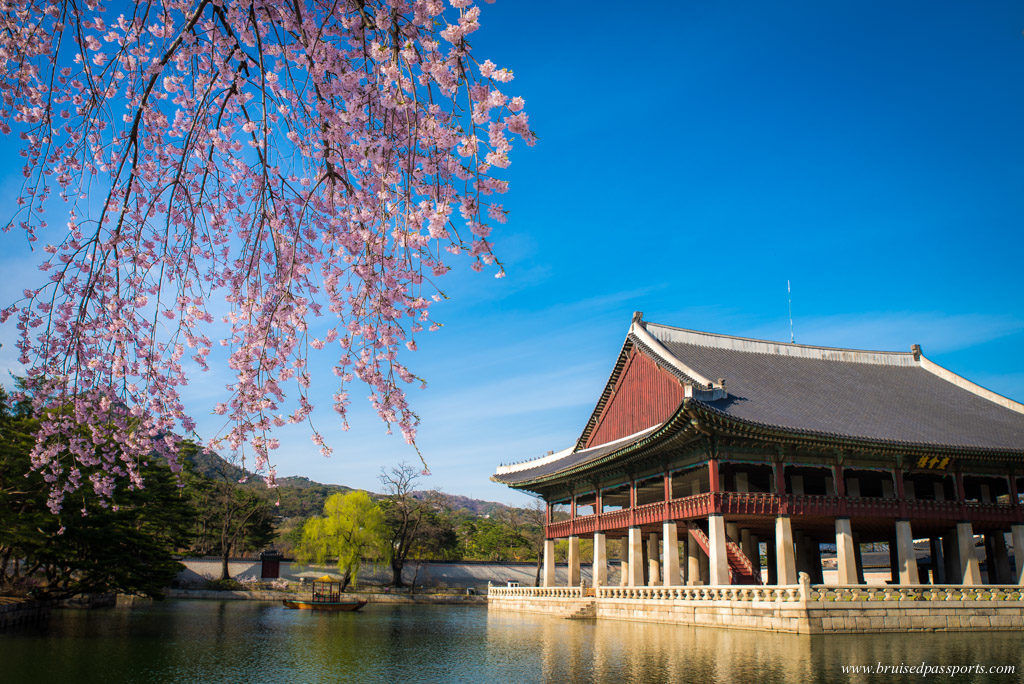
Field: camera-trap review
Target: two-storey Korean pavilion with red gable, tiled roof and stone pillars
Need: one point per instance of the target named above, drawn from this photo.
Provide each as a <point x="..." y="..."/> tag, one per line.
<point x="722" y="444"/>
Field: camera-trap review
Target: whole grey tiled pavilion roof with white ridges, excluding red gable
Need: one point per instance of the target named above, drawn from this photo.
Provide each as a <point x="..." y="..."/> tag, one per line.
<point x="882" y="397"/>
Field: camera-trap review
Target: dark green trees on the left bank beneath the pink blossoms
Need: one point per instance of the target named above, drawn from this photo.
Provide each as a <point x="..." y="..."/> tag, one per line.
<point x="125" y="544"/>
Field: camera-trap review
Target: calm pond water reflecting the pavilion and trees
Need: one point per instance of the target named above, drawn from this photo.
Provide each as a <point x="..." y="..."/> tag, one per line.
<point x="241" y="642"/>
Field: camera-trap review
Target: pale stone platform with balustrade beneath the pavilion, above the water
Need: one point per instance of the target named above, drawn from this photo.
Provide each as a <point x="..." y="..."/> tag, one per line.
<point x="799" y="609"/>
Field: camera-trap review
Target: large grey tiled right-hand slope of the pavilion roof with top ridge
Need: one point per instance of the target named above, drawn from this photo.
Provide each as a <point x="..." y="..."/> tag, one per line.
<point x="885" y="397"/>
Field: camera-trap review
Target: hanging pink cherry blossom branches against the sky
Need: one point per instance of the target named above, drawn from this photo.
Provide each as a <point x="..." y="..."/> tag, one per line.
<point x="280" y="161"/>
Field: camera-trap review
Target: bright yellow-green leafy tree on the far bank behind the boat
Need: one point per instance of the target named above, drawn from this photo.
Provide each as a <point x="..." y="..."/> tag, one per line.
<point x="351" y="530"/>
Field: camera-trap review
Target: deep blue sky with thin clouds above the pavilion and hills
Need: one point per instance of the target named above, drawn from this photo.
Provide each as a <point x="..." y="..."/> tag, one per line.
<point x="692" y="160"/>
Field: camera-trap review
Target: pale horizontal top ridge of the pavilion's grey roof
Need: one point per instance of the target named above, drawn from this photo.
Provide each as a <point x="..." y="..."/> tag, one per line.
<point x="753" y="346"/>
